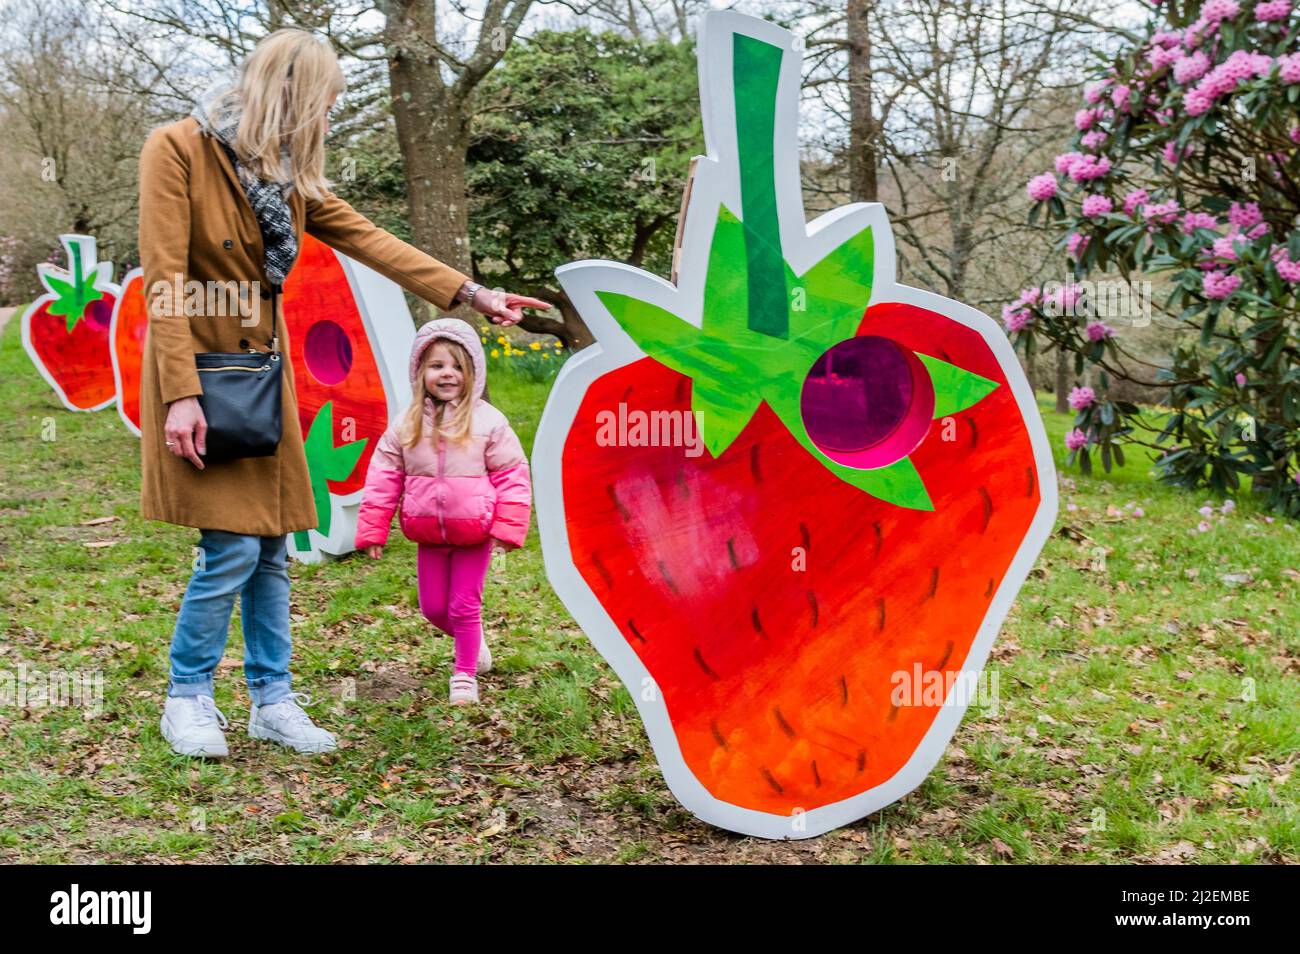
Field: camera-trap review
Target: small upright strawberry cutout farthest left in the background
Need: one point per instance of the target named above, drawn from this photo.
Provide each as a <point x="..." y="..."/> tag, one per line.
<point x="66" y="331"/>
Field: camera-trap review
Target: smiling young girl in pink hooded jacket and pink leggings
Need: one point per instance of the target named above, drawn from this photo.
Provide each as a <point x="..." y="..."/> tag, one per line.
<point x="462" y="480"/>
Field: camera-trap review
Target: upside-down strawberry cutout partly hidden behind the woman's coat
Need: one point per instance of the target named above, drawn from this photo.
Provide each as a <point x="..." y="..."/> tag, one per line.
<point x="350" y="337"/>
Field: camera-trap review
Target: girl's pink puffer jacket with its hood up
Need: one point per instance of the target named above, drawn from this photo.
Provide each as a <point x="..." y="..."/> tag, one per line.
<point x="449" y="495"/>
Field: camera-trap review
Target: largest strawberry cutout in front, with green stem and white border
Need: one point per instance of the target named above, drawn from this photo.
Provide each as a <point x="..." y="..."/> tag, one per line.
<point x="870" y="485"/>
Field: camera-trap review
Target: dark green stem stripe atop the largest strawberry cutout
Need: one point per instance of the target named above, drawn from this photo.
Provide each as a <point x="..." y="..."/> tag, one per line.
<point x="756" y="70"/>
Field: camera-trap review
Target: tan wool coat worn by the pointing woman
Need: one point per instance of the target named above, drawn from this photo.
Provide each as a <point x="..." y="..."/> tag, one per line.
<point x="197" y="224"/>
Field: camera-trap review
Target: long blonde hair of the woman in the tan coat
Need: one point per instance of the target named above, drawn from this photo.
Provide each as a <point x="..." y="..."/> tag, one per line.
<point x="287" y="85"/>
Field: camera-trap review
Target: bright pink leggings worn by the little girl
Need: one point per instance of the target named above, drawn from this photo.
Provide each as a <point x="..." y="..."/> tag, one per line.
<point x="452" y="595"/>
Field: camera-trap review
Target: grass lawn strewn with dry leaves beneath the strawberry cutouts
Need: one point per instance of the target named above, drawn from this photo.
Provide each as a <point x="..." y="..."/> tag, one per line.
<point x="1150" y="704"/>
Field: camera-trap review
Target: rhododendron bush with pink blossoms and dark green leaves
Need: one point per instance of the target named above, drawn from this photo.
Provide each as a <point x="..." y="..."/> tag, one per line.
<point x="1185" y="164"/>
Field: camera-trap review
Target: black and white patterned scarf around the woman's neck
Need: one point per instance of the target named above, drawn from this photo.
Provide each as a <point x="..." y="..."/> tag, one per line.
<point x="219" y="114"/>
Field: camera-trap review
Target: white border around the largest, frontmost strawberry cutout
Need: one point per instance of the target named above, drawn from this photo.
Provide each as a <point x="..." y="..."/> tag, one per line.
<point x="804" y="246"/>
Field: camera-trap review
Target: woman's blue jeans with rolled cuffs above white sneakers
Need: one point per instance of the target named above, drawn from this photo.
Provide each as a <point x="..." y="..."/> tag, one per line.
<point x="254" y="570"/>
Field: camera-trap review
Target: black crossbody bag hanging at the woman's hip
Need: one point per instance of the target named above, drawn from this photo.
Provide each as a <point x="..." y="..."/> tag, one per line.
<point x="242" y="398"/>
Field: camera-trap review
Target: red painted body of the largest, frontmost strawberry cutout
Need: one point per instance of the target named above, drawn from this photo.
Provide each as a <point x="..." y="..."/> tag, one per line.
<point x="772" y="602"/>
